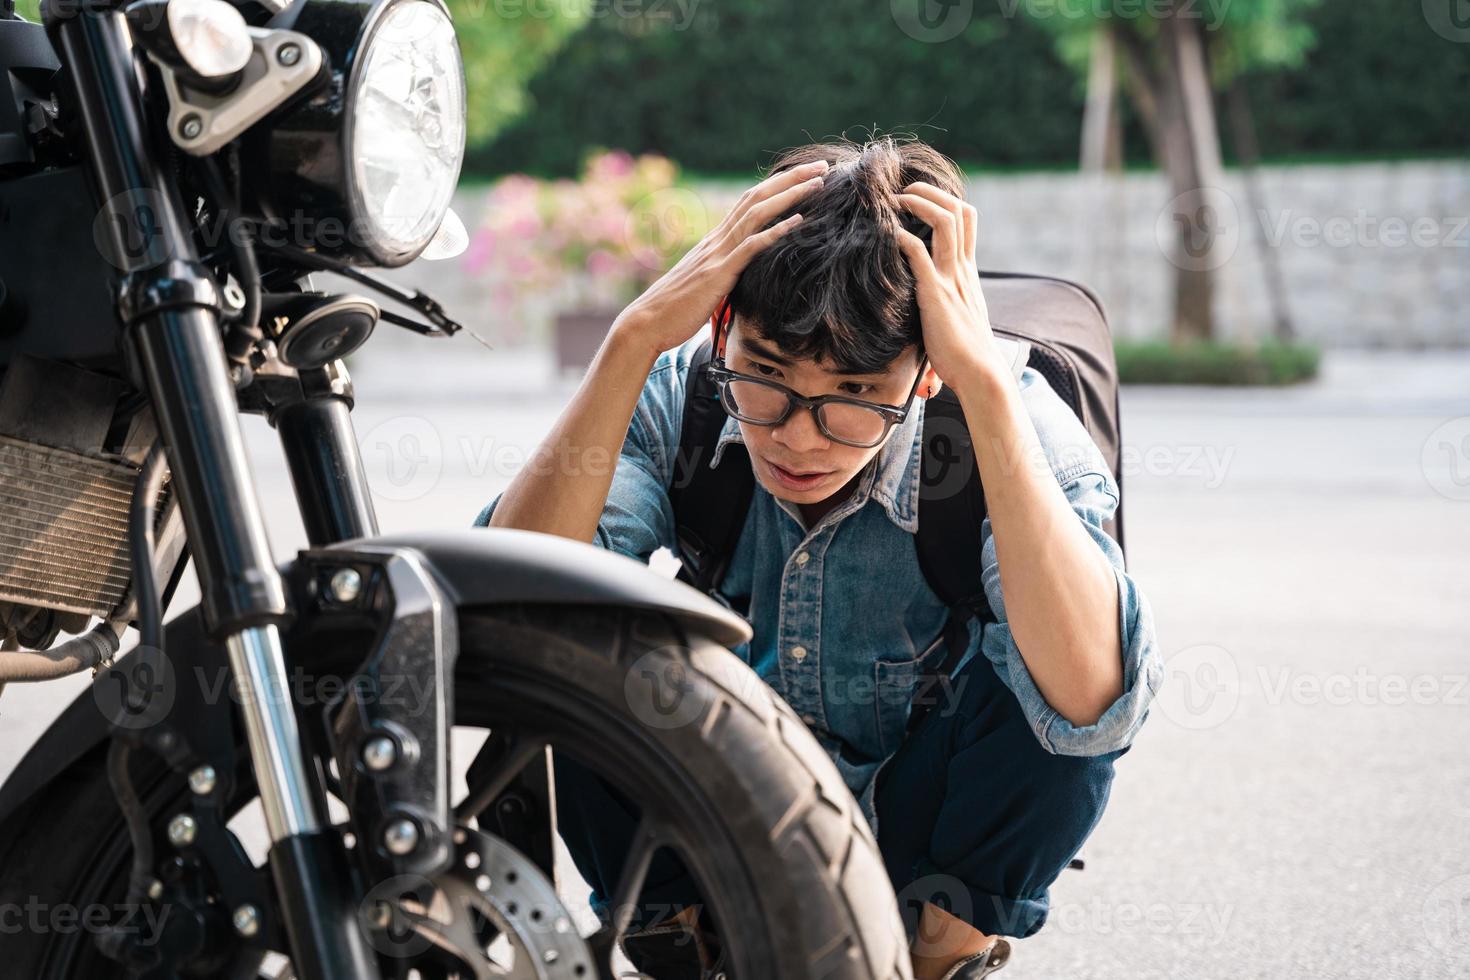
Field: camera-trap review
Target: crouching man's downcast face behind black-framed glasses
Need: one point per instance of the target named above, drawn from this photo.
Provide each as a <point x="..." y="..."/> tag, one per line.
<point x="795" y="461"/>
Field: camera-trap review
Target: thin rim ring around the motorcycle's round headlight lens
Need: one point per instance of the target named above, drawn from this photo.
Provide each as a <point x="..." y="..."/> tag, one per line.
<point x="356" y="76"/>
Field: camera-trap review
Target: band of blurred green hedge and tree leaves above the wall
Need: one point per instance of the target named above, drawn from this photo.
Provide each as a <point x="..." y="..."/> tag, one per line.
<point x="724" y="84"/>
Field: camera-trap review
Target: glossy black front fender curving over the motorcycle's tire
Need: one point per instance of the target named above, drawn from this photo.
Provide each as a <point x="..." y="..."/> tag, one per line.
<point x="476" y="566"/>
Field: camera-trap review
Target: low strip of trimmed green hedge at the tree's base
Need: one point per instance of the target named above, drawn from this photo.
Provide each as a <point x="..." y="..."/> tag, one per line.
<point x="1162" y="364"/>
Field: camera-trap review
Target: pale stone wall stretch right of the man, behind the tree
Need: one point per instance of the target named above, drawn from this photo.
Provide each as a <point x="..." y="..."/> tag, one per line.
<point x="1372" y="255"/>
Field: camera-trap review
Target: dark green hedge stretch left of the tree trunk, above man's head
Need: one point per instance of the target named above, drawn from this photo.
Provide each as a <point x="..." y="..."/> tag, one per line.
<point x="752" y="77"/>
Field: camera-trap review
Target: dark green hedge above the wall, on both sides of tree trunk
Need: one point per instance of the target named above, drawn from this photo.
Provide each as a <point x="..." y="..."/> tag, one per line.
<point x="746" y="79"/>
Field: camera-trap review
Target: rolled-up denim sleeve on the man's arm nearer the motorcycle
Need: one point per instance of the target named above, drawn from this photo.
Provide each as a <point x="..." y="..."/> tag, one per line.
<point x="637" y="518"/>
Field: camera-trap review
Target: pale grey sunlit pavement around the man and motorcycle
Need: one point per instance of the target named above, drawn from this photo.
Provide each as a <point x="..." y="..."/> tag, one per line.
<point x="1297" y="804"/>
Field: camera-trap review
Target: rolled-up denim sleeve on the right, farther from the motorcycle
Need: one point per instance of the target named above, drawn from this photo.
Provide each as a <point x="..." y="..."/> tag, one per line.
<point x="1094" y="497"/>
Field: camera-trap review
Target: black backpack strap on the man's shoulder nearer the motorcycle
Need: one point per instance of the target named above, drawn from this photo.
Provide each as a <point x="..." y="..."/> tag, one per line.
<point x="709" y="505"/>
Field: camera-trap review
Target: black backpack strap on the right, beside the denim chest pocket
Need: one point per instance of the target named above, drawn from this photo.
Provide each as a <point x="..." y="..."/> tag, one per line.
<point x="952" y="509"/>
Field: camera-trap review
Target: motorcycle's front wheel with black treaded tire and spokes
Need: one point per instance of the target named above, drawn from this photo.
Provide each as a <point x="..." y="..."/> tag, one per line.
<point x="724" y="775"/>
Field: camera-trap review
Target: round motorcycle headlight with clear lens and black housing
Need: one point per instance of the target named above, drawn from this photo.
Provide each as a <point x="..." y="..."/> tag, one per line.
<point x="365" y="167"/>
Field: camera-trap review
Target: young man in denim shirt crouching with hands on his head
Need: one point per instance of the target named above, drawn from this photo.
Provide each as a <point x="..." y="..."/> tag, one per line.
<point x="850" y="273"/>
